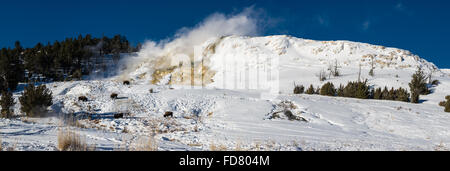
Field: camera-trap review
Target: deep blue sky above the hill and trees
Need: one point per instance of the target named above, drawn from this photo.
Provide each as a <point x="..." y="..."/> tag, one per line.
<point x="423" y="27"/>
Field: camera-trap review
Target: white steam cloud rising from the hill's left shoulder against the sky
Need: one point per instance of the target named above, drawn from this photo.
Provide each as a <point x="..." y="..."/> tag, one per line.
<point x="245" y="23"/>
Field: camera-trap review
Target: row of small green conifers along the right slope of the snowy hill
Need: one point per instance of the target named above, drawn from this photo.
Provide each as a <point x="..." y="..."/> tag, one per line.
<point x="361" y="89"/>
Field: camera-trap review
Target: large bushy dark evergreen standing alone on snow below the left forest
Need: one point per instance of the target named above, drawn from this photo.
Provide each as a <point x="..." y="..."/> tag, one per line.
<point x="35" y="100"/>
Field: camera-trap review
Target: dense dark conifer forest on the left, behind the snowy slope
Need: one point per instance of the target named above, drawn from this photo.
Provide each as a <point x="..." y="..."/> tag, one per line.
<point x="58" y="61"/>
